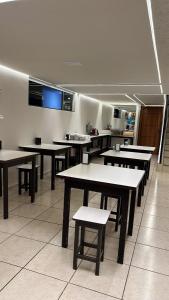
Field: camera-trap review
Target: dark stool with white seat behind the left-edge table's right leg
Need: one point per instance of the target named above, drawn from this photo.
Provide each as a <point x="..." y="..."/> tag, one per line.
<point x="26" y="169"/>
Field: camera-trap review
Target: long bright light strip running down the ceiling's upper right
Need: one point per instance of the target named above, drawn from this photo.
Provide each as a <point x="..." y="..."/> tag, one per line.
<point x="150" y="14"/>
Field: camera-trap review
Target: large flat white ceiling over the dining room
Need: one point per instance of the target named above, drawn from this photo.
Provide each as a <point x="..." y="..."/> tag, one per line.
<point x="109" y="41"/>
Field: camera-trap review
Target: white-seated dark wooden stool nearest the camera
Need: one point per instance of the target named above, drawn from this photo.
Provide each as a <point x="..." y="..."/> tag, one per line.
<point x="91" y="218"/>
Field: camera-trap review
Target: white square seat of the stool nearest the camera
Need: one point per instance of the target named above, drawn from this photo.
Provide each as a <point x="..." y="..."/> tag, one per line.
<point x="92" y="215"/>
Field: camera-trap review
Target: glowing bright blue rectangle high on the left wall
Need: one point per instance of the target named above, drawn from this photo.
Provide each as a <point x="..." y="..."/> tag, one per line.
<point x="51" y="98"/>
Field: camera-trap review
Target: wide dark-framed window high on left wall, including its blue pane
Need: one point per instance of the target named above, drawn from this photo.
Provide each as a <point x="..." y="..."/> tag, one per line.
<point x="47" y="97"/>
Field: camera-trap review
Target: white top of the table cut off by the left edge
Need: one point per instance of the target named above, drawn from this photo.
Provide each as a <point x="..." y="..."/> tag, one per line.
<point x="6" y="155"/>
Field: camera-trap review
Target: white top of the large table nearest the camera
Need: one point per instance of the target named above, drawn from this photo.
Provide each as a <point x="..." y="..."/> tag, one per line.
<point x="123" y="177"/>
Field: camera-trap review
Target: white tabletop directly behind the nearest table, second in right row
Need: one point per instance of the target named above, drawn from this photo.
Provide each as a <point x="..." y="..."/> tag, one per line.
<point x="126" y="154"/>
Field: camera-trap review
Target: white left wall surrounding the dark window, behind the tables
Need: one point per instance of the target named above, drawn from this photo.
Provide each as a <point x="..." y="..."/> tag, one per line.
<point x="22" y="122"/>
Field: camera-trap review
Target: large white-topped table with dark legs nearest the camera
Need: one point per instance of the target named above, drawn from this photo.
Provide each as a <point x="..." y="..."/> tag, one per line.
<point x="105" y="180"/>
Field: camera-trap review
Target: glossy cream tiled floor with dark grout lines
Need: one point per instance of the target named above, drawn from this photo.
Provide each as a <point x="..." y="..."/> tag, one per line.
<point x="33" y="266"/>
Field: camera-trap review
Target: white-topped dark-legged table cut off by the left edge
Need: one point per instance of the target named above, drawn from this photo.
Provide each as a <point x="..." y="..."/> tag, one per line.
<point x="10" y="158"/>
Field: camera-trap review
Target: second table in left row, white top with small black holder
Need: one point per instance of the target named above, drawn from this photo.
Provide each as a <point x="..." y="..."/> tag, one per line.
<point x="50" y="150"/>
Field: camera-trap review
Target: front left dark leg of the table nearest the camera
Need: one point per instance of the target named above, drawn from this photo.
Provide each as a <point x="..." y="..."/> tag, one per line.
<point x="66" y="211"/>
